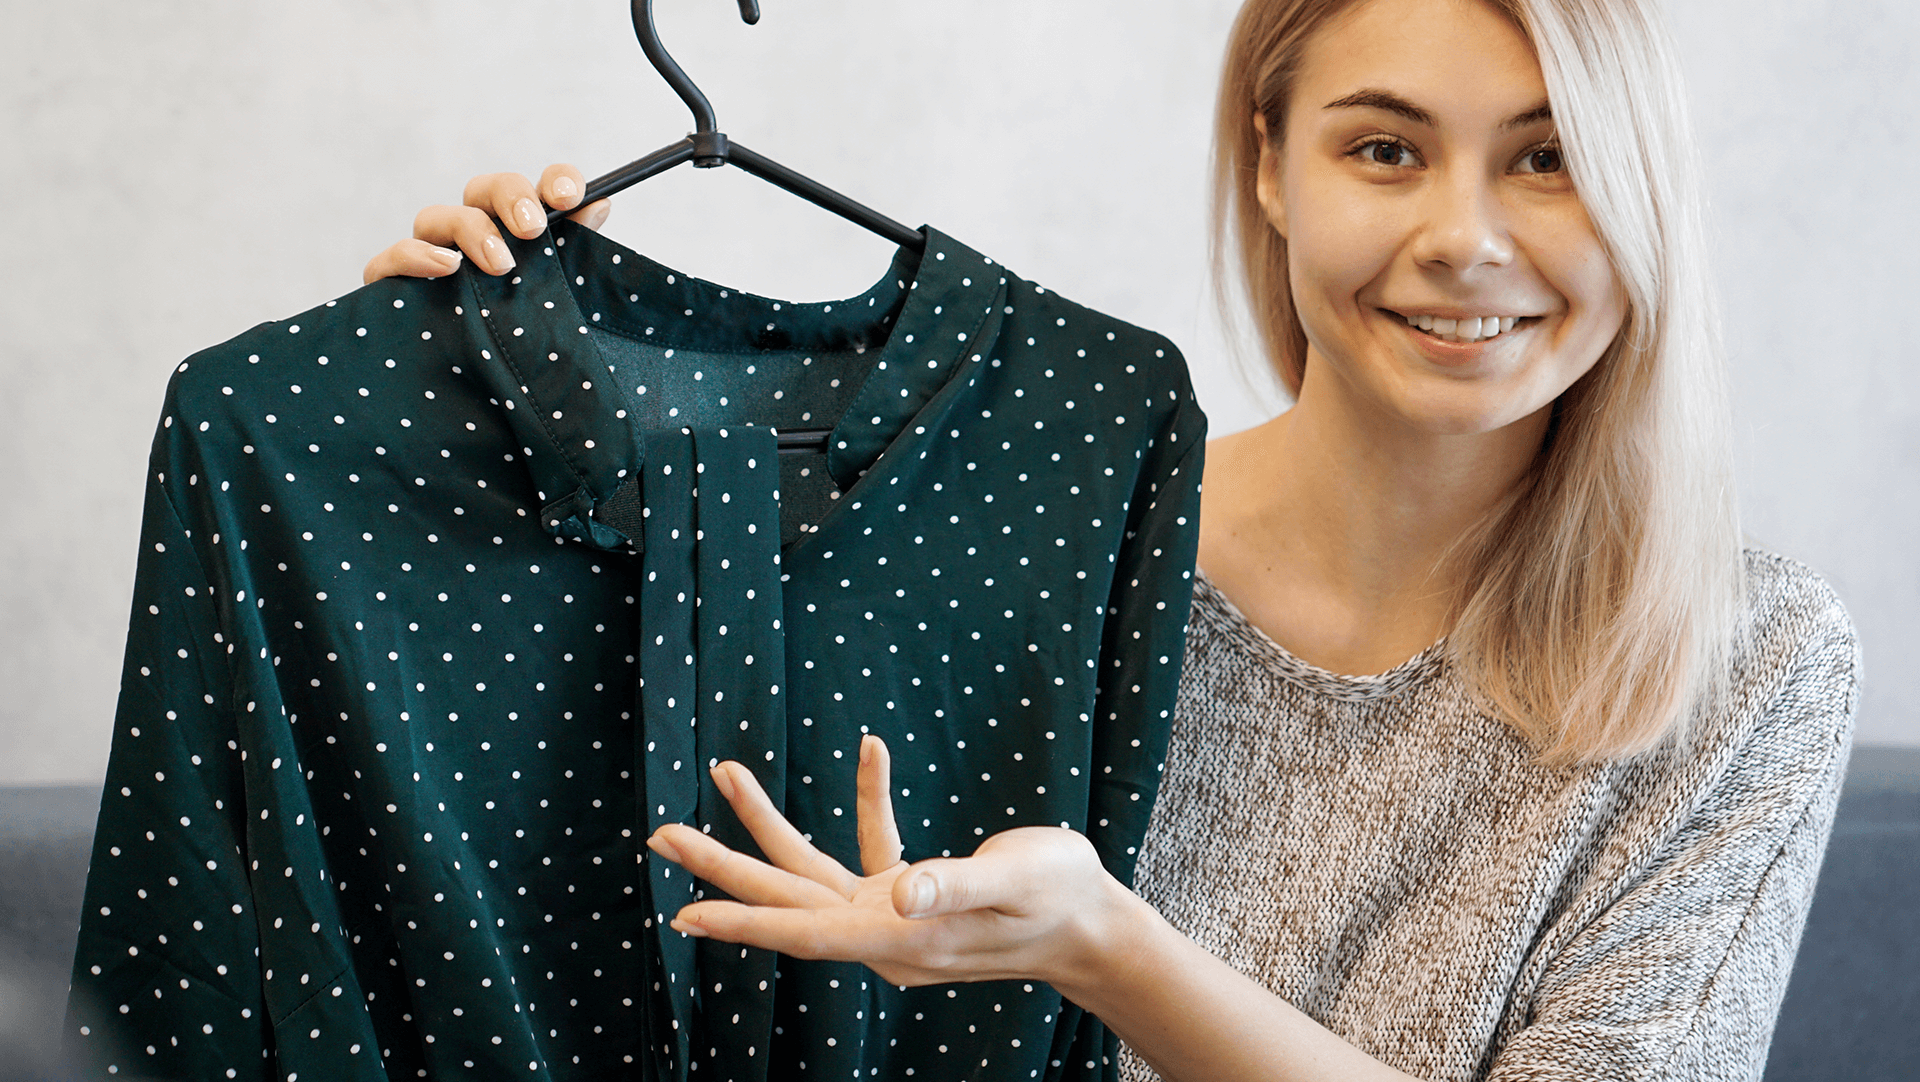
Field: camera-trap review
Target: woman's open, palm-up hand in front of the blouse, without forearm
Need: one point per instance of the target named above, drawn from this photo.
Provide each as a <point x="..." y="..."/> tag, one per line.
<point x="1032" y="903"/>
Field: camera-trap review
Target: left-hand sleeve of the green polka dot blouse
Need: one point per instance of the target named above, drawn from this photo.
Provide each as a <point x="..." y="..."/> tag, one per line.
<point x="166" y="979"/>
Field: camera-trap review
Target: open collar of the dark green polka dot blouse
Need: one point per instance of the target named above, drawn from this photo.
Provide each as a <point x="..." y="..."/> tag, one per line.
<point x="533" y="329"/>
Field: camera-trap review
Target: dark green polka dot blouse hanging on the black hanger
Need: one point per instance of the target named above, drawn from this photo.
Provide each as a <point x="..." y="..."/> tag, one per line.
<point x="450" y="592"/>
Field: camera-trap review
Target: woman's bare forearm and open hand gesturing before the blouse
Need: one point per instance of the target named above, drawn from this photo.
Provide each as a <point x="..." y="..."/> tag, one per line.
<point x="1032" y="905"/>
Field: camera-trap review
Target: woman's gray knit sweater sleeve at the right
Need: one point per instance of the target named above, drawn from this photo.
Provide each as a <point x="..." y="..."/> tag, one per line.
<point x="1683" y="976"/>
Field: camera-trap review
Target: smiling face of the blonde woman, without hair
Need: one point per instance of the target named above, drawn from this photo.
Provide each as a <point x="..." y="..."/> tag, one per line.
<point x="1441" y="264"/>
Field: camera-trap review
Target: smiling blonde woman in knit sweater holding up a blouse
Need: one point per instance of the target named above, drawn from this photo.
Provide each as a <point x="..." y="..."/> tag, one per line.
<point x="1570" y="822"/>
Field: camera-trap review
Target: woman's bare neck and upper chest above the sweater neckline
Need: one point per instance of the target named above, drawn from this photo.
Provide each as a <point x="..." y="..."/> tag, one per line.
<point x="1330" y="527"/>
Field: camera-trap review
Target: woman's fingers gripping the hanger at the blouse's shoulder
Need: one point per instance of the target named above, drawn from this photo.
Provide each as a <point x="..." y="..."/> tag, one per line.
<point x="441" y="235"/>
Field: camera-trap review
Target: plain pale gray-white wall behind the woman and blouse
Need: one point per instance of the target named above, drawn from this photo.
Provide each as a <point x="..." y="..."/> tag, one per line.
<point x="174" y="174"/>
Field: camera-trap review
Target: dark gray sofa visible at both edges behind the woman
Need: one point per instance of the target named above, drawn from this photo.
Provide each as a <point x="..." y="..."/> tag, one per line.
<point x="1852" y="1012"/>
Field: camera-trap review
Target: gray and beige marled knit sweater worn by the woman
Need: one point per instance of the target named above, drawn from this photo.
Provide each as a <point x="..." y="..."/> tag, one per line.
<point x="1391" y="862"/>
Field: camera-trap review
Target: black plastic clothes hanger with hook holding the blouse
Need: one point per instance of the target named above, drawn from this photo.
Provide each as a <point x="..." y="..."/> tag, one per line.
<point x="709" y="149"/>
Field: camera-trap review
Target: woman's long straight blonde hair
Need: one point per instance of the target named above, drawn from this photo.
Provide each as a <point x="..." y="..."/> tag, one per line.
<point x="1602" y="598"/>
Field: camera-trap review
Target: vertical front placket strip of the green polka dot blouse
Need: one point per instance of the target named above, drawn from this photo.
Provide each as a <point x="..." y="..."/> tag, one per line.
<point x="713" y="667"/>
